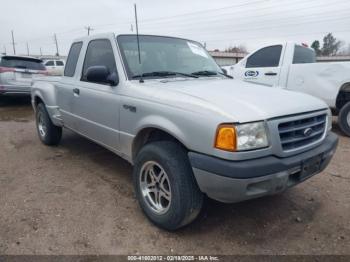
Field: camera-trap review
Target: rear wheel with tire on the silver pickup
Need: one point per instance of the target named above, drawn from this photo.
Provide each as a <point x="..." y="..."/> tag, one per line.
<point x="49" y="134"/>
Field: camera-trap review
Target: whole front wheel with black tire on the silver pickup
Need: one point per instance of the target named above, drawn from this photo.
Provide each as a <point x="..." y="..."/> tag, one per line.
<point x="165" y="185"/>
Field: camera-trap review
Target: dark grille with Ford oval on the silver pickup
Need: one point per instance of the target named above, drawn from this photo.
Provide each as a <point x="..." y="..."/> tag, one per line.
<point x="302" y="132"/>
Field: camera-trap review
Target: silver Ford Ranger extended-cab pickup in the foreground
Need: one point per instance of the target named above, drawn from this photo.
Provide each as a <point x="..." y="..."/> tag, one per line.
<point x="187" y="128"/>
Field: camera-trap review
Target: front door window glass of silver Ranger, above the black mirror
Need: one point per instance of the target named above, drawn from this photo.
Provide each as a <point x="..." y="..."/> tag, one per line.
<point x="99" y="53"/>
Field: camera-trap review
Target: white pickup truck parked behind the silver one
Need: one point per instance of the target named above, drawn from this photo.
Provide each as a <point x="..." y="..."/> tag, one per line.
<point x="293" y="67"/>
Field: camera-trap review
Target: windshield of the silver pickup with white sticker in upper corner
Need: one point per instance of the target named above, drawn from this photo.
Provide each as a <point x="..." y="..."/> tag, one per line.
<point x="165" y="57"/>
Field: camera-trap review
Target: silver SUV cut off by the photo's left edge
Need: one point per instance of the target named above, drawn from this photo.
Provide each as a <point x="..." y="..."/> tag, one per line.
<point x="17" y="74"/>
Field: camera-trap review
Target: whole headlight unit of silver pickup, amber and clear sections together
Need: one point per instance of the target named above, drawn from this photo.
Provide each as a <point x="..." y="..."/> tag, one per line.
<point x="241" y="137"/>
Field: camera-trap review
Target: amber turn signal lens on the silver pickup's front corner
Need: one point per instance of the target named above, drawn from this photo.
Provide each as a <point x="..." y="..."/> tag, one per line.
<point x="226" y="138"/>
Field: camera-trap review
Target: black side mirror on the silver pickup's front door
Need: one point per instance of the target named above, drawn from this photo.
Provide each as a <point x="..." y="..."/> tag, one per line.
<point x="101" y="75"/>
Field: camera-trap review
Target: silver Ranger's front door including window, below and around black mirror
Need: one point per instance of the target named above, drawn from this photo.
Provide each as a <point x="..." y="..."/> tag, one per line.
<point x="95" y="106"/>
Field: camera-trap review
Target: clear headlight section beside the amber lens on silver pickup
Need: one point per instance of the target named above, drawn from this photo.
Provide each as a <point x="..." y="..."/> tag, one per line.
<point x="251" y="136"/>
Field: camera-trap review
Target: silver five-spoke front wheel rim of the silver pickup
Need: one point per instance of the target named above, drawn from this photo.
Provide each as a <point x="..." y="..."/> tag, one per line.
<point x="155" y="187"/>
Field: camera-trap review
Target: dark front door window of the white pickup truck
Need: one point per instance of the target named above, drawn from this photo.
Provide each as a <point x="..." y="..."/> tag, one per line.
<point x="266" y="57"/>
